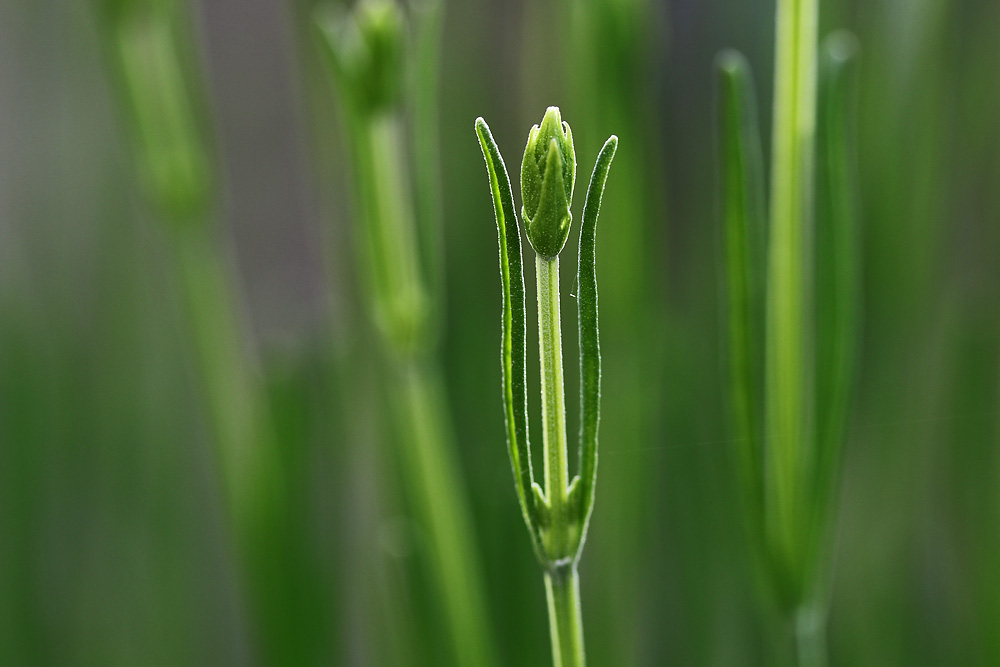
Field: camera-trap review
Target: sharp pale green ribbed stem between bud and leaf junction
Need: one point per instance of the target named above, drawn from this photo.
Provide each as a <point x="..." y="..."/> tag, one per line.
<point x="553" y="394"/>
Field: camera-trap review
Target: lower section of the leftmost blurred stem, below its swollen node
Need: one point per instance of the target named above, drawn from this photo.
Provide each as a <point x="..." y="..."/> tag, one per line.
<point x="241" y="429"/>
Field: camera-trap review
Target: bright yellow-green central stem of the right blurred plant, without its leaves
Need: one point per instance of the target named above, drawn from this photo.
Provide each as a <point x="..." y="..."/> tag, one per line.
<point x="788" y="378"/>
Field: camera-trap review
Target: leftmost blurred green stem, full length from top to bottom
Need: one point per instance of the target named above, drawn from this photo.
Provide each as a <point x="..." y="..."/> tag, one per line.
<point x="160" y="94"/>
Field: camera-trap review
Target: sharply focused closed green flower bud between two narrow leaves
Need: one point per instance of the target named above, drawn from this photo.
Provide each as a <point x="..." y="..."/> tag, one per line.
<point x="548" y="174"/>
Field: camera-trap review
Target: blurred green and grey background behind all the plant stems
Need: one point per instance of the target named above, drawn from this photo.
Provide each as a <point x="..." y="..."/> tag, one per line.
<point x="115" y="546"/>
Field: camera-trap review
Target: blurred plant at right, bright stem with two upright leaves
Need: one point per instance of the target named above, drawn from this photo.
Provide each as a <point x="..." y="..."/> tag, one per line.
<point x="792" y="311"/>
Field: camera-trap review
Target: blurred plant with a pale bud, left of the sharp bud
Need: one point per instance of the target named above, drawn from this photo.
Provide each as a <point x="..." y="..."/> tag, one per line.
<point x="380" y="73"/>
